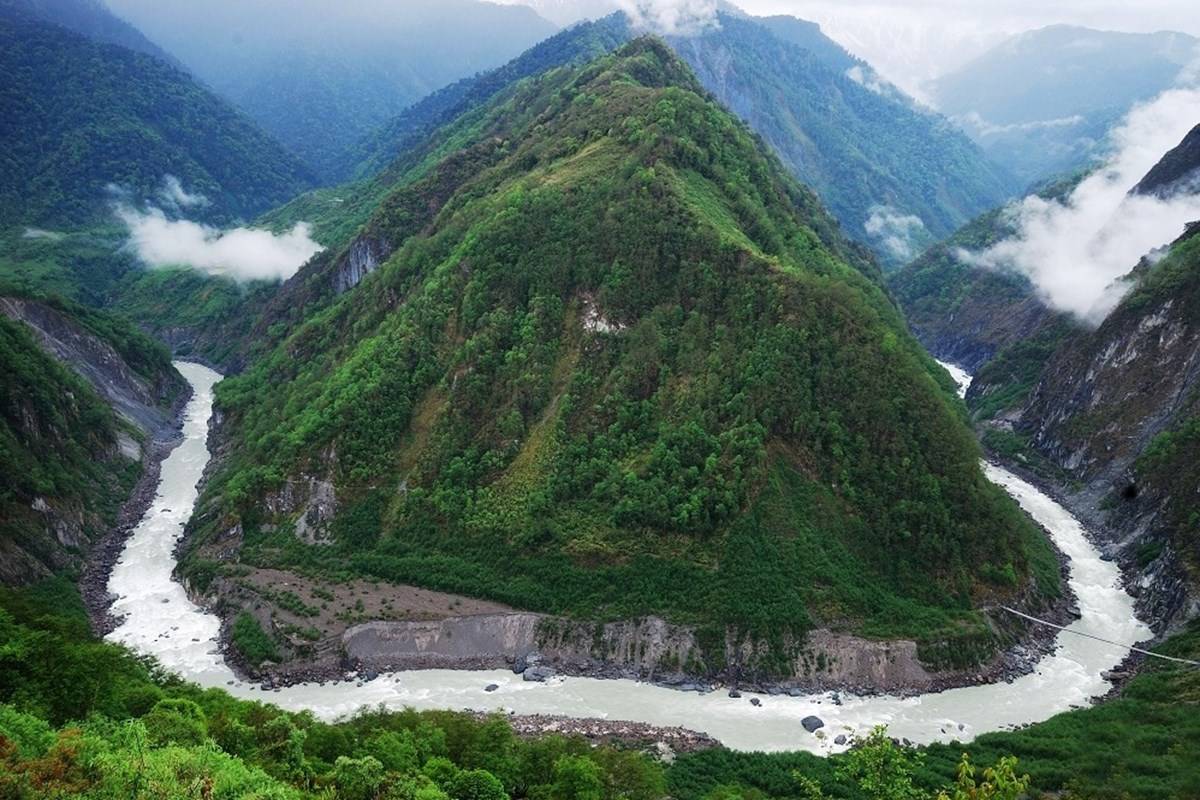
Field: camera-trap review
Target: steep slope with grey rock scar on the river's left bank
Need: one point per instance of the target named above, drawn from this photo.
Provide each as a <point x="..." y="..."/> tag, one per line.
<point x="85" y="396"/>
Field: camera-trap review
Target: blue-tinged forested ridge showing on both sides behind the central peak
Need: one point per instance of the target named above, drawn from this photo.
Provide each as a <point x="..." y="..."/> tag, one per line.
<point x="896" y="177"/>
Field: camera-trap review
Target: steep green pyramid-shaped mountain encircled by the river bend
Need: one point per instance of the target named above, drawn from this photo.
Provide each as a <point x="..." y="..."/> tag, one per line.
<point x="615" y="364"/>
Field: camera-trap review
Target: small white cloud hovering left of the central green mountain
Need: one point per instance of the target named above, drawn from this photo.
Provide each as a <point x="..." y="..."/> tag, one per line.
<point x="242" y="254"/>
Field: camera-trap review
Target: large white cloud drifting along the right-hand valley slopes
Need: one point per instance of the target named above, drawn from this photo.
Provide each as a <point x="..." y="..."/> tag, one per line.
<point x="1078" y="250"/>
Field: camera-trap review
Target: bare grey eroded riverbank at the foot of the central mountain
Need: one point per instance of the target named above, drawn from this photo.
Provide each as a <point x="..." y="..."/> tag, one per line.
<point x="539" y="647"/>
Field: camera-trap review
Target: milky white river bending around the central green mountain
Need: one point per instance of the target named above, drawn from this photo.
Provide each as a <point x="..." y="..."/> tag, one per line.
<point x="160" y="621"/>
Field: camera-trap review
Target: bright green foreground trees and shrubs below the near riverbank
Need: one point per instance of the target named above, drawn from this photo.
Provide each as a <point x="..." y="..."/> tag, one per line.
<point x="81" y="718"/>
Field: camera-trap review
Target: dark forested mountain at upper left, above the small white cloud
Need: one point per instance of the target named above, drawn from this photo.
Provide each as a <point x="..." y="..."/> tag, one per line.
<point x="86" y="123"/>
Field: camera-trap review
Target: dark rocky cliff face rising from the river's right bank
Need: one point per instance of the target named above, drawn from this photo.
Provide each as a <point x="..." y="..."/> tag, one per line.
<point x="1117" y="411"/>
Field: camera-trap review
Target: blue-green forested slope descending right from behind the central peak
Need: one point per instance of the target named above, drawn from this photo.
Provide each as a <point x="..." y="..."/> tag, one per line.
<point x="893" y="175"/>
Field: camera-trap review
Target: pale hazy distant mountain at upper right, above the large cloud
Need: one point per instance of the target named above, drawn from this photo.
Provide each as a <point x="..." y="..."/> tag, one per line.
<point x="1042" y="103"/>
